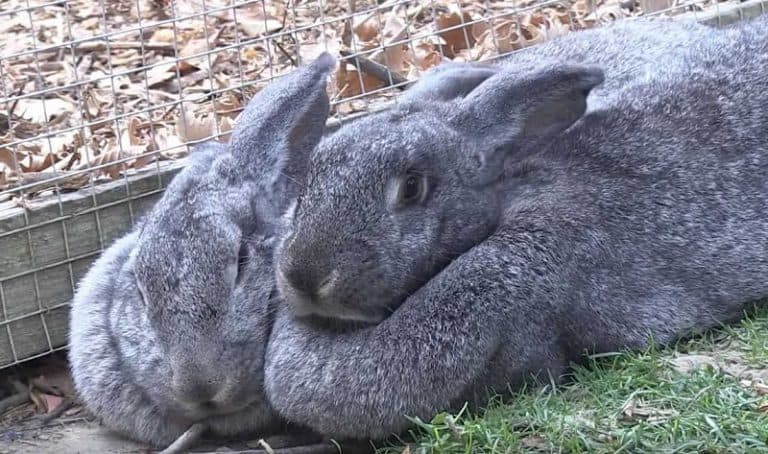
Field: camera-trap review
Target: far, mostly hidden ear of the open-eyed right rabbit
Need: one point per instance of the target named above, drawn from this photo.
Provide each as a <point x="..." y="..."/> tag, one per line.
<point x="448" y="81"/>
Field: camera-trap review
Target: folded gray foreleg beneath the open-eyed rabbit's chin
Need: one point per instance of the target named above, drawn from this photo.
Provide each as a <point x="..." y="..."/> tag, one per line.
<point x="440" y="343"/>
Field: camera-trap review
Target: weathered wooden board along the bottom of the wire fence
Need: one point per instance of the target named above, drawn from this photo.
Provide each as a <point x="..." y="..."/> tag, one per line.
<point x="45" y="250"/>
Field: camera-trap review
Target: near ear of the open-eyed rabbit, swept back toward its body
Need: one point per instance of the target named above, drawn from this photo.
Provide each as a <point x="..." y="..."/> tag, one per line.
<point x="516" y="111"/>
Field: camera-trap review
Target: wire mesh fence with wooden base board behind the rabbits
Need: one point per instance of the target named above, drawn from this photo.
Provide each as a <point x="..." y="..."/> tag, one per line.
<point x="101" y="100"/>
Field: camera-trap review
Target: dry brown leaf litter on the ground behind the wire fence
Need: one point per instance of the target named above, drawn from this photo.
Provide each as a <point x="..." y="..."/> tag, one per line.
<point x="93" y="95"/>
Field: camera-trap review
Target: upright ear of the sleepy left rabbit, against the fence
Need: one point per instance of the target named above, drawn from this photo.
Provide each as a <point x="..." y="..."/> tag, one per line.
<point x="282" y="124"/>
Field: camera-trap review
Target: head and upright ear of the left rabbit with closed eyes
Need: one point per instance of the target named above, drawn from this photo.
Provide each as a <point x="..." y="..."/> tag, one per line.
<point x="204" y="256"/>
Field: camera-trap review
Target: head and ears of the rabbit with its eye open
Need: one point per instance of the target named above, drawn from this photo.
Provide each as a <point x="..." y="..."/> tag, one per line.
<point x="392" y="198"/>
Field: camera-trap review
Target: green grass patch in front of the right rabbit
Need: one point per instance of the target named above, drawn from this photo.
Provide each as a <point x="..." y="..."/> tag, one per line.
<point x="632" y="402"/>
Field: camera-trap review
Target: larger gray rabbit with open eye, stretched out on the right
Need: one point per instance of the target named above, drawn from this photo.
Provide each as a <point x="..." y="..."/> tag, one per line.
<point x="494" y="237"/>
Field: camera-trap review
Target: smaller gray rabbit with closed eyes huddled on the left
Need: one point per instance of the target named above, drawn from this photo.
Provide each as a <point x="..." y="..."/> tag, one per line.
<point x="170" y="324"/>
